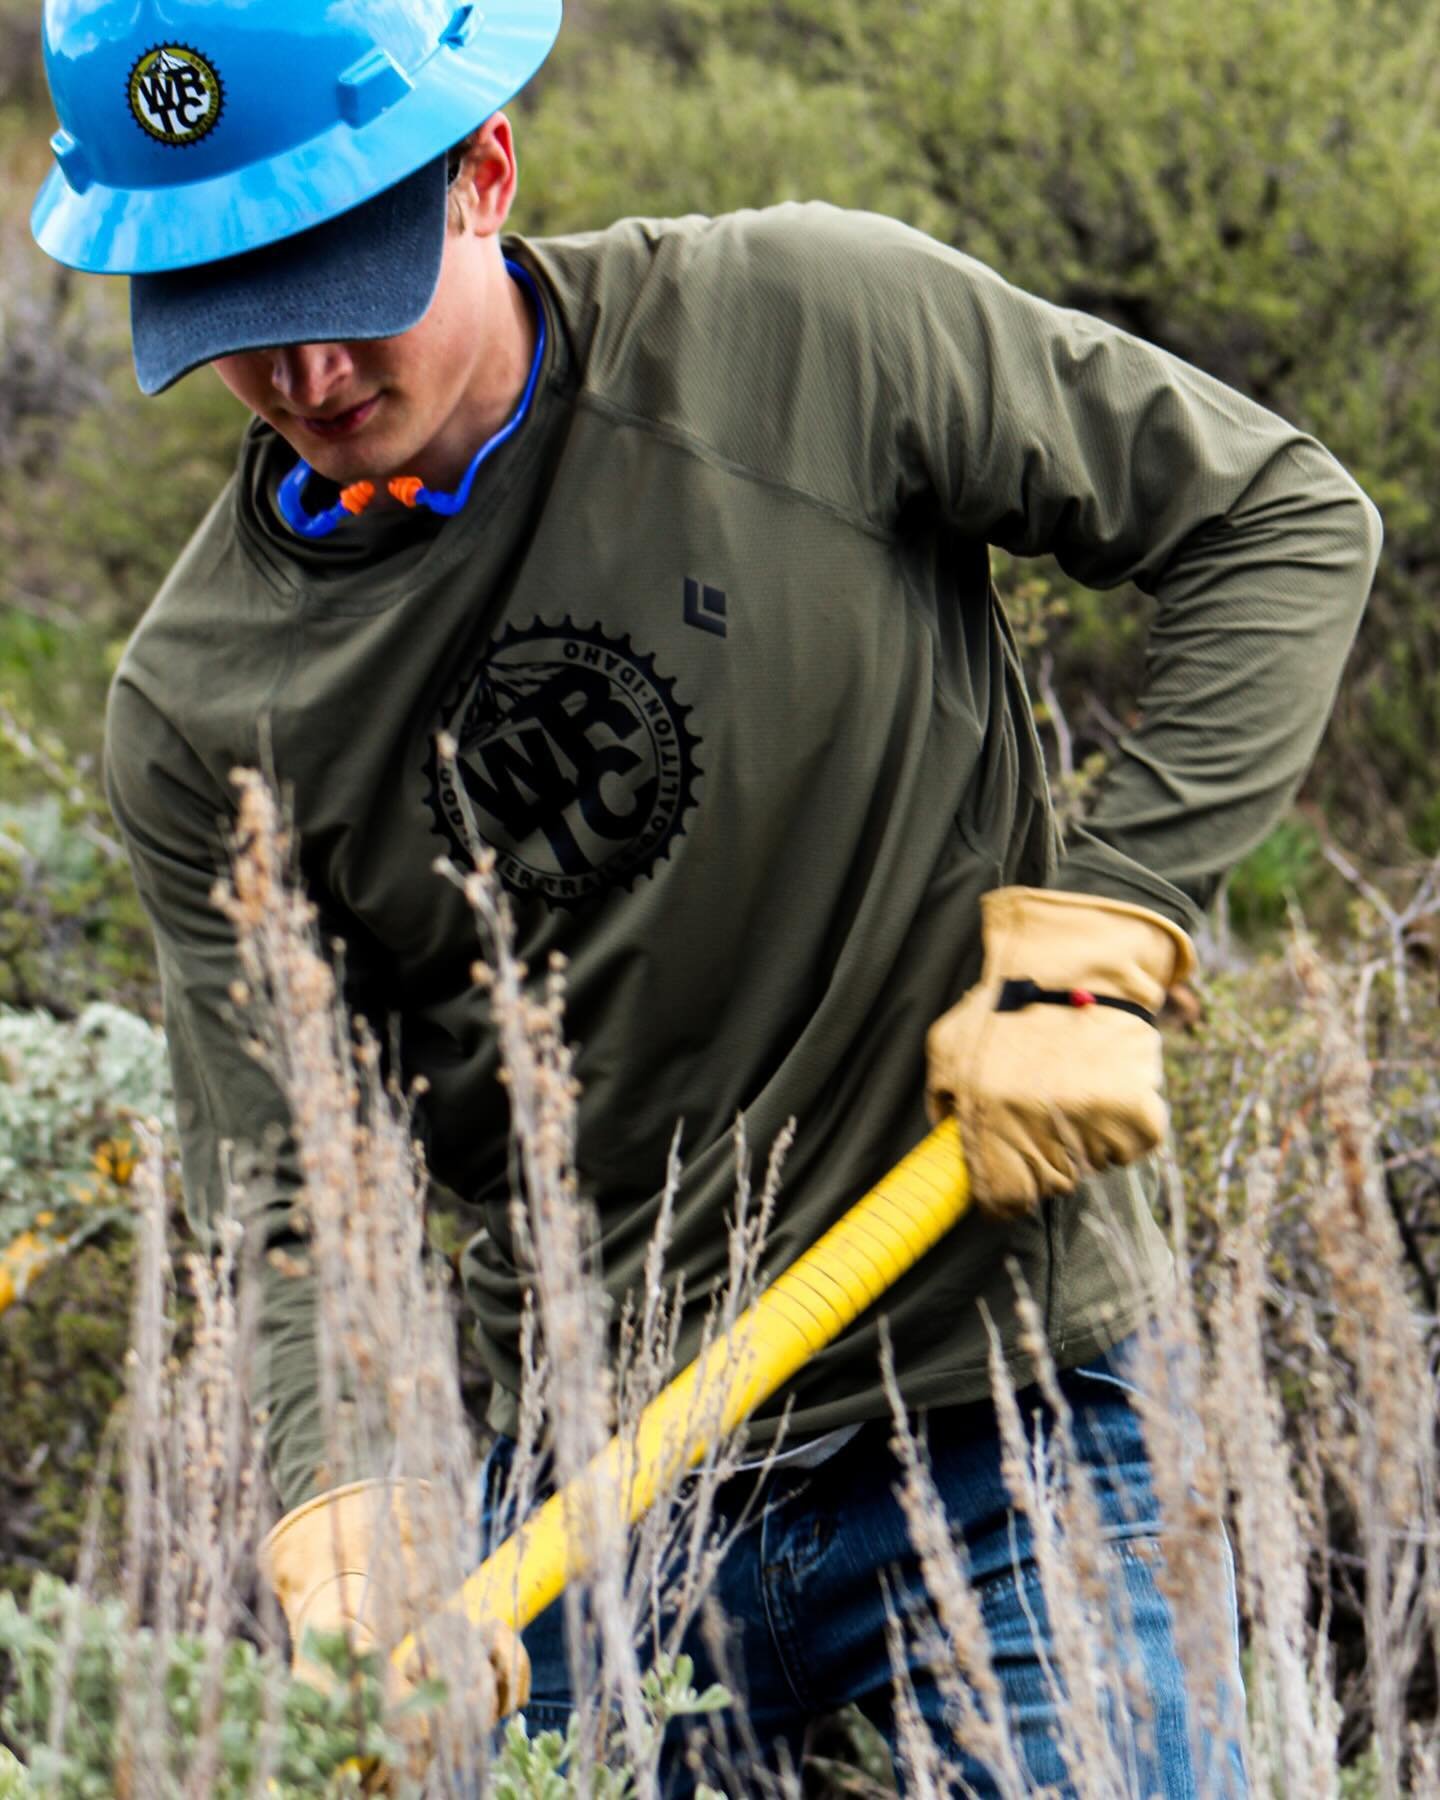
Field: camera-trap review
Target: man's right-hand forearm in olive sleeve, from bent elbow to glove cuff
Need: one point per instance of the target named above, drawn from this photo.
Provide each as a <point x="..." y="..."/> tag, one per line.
<point x="1255" y="618"/>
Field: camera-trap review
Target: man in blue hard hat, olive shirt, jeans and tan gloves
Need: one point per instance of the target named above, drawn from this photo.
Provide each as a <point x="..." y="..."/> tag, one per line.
<point x="681" y="532"/>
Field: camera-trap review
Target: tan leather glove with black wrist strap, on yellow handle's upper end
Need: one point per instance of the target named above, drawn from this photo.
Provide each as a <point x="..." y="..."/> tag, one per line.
<point x="1052" y="1063"/>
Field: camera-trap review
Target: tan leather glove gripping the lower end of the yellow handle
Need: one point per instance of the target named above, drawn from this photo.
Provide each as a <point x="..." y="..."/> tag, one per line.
<point x="323" y="1561"/>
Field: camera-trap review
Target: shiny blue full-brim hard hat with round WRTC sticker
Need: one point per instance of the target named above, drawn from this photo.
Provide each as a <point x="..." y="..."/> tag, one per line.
<point x="201" y="130"/>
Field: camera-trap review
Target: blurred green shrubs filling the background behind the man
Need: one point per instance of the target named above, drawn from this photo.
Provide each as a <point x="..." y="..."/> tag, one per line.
<point x="1254" y="184"/>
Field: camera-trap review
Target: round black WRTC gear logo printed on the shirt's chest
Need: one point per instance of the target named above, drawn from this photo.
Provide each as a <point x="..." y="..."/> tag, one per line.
<point x="577" y="762"/>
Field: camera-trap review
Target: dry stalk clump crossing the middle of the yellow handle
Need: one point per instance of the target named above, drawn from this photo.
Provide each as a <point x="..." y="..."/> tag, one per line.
<point x="647" y="1583"/>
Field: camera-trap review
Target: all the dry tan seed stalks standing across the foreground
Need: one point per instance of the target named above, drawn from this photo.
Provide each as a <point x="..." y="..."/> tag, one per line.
<point x="1219" y="1426"/>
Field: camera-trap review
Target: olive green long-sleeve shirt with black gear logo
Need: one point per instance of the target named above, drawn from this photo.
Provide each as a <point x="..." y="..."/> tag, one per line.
<point x="739" y="710"/>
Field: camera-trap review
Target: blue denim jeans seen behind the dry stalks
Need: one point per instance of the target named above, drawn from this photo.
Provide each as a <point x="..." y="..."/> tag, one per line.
<point x="804" y="1594"/>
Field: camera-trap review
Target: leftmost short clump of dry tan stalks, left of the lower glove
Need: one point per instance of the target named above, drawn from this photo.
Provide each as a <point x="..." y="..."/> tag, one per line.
<point x="195" y="1506"/>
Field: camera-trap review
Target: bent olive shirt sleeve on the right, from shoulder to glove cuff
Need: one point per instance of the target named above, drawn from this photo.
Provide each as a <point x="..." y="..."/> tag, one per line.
<point x="1045" y="431"/>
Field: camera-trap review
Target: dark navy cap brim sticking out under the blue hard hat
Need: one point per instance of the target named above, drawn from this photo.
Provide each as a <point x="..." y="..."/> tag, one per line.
<point x="368" y="274"/>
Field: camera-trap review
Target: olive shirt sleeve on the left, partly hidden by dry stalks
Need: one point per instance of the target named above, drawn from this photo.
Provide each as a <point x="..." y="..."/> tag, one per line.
<point x="174" y="823"/>
